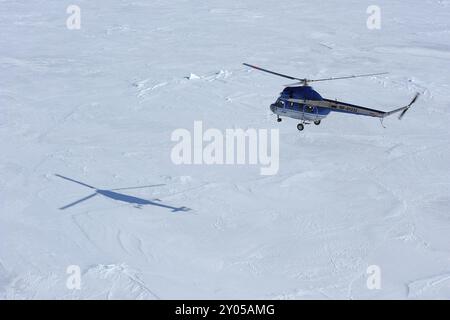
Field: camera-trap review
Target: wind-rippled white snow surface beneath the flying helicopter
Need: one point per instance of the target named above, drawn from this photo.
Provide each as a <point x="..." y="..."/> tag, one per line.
<point x="99" y="104"/>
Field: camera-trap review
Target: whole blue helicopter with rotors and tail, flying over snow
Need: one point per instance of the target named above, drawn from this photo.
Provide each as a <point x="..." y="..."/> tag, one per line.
<point x="300" y="101"/>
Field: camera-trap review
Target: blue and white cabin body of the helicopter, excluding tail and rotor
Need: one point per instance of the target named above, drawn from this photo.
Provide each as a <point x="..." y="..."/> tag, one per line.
<point x="282" y="107"/>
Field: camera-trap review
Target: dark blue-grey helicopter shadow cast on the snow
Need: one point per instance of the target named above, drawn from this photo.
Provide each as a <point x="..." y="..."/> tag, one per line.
<point x="121" y="197"/>
